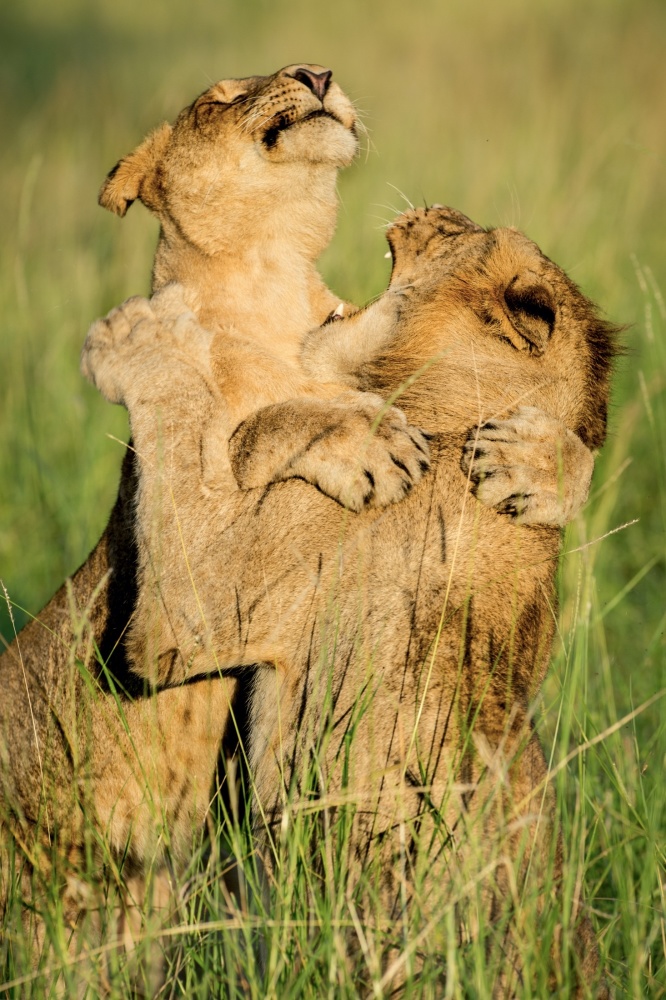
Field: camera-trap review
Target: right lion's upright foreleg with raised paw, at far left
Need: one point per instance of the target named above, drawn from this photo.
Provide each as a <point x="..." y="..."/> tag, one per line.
<point x="153" y="358"/>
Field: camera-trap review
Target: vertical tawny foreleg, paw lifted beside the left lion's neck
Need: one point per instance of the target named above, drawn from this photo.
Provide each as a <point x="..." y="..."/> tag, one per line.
<point x="155" y="365"/>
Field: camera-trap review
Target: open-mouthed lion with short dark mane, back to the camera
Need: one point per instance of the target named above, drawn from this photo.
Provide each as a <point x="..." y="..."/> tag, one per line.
<point x="424" y="629"/>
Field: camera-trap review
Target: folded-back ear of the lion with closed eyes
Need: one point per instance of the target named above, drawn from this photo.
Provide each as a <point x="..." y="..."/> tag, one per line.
<point x="135" y="176"/>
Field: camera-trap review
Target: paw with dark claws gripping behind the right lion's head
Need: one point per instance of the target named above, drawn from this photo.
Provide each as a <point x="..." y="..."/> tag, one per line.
<point x="530" y="467"/>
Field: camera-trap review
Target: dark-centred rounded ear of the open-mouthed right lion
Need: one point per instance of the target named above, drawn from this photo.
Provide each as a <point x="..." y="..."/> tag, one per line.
<point x="529" y="306"/>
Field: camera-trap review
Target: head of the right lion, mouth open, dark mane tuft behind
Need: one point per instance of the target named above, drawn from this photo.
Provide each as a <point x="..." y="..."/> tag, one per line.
<point x="510" y="327"/>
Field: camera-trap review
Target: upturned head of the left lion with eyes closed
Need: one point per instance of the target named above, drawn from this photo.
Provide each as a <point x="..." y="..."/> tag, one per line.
<point x="239" y="150"/>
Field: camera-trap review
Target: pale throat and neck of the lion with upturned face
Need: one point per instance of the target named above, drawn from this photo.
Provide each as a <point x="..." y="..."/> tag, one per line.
<point x="264" y="287"/>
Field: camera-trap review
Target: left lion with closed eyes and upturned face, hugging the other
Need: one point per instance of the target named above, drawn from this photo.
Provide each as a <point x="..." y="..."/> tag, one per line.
<point x="242" y="227"/>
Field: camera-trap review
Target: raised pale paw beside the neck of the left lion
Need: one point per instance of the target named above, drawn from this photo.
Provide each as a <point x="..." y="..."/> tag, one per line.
<point x="136" y="343"/>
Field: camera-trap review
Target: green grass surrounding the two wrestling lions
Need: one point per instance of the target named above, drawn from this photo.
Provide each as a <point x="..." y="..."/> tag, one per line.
<point x="549" y="117"/>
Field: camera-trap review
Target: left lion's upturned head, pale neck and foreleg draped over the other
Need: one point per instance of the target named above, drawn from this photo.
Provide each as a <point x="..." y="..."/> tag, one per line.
<point x="246" y="269"/>
